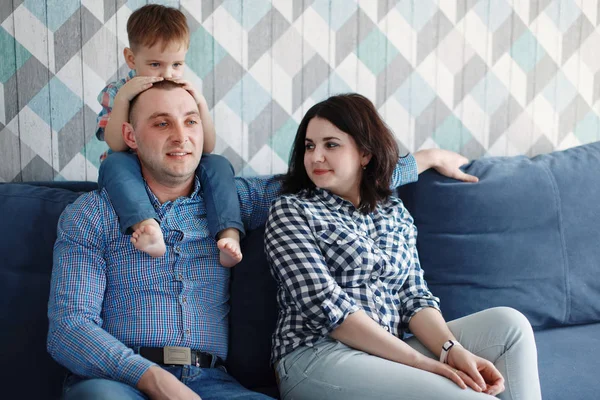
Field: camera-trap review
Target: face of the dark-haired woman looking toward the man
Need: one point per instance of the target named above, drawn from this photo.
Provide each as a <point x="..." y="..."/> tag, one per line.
<point x="332" y="160"/>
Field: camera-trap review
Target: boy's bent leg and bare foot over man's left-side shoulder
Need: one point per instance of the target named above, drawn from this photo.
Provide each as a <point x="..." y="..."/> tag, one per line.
<point x="120" y="175"/>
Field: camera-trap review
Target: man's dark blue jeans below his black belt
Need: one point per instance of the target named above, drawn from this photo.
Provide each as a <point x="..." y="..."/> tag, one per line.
<point x="208" y="383"/>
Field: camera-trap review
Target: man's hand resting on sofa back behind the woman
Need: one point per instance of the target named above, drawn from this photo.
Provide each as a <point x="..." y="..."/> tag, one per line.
<point x="445" y="162"/>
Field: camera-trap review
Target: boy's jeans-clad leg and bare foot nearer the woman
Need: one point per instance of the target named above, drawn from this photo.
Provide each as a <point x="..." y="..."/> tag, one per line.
<point x="222" y="206"/>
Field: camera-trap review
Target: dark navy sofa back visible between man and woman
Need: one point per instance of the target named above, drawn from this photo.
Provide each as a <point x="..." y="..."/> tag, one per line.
<point x="252" y="317"/>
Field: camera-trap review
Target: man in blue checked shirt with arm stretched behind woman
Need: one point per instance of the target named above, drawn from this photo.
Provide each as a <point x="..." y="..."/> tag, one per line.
<point x="131" y="326"/>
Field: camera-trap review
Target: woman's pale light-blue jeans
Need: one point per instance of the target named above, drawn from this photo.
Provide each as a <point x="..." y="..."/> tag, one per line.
<point x="331" y="370"/>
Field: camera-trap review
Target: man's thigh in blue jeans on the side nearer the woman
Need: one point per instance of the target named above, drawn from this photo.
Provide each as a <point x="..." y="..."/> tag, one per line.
<point x="216" y="384"/>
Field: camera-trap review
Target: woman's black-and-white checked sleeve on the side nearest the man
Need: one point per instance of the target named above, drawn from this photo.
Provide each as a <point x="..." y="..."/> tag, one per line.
<point x="300" y="269"/>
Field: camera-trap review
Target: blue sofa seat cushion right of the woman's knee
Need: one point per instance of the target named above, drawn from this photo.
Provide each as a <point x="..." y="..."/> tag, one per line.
<point x="568" y="362"/>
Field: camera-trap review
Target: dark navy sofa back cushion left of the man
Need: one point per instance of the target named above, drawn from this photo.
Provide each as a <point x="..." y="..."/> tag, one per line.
<point x="29" y="216"/>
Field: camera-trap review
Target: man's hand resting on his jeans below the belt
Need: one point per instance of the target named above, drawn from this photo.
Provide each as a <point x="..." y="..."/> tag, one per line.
<point x="159" y="384"/>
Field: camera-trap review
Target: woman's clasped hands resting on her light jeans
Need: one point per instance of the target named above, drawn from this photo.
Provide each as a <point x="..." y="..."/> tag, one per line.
<point x="479" y="373"/>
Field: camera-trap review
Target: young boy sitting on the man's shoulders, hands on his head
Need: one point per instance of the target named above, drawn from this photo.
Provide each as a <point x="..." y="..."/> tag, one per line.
<point x="159" y="39"/>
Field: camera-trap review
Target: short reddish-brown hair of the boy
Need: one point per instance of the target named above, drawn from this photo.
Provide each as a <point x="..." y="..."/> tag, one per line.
<point x="153" y="23"/>
